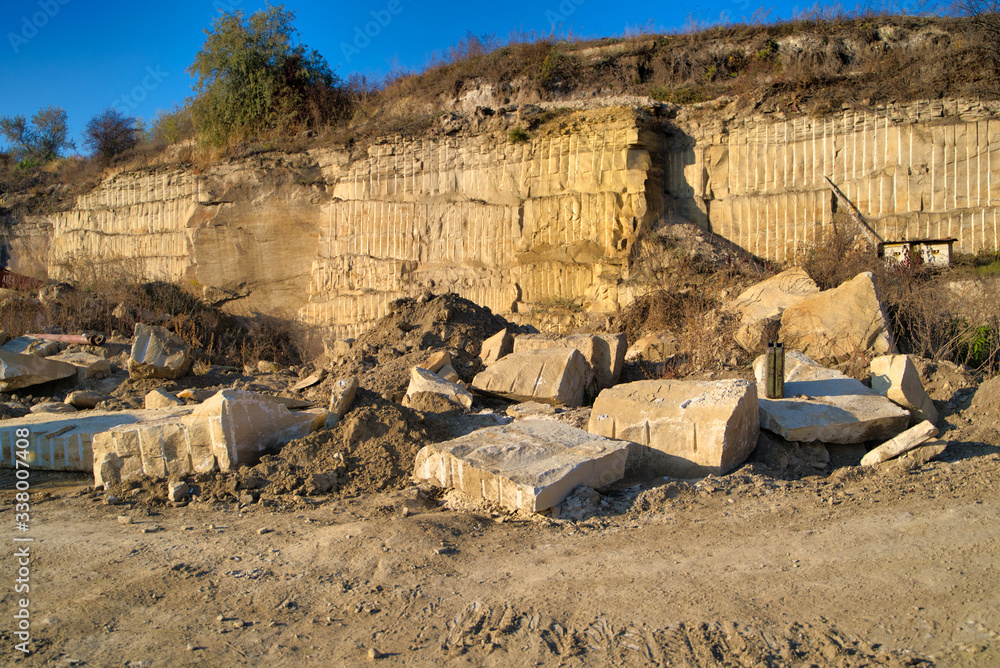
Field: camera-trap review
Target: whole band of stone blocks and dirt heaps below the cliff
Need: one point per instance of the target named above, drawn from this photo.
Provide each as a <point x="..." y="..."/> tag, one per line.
<point x="443" y="393"/>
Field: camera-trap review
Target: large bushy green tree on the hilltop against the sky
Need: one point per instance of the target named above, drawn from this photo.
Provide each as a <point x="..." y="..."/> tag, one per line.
<point x="253" y="77"/>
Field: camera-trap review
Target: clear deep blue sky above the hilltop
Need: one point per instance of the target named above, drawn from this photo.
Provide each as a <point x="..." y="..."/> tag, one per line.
<point x="88" y="56"/>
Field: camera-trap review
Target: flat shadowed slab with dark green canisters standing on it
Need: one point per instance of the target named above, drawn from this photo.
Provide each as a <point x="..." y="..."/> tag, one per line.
<point x="824" y="405"/>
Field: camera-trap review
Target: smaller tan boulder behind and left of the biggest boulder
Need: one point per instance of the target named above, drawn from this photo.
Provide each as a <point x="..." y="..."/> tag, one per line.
<point x="761" y="306"/>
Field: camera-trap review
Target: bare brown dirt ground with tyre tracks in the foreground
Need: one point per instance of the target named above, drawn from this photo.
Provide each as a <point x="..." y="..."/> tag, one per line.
<point x="881" y="566"/>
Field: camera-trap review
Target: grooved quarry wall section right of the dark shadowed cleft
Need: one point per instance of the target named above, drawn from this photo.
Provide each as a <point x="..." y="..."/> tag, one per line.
<point x="922" y="170"/>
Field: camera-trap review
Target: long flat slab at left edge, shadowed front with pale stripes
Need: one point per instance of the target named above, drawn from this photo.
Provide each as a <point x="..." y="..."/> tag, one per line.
<point x="65" y="442"/>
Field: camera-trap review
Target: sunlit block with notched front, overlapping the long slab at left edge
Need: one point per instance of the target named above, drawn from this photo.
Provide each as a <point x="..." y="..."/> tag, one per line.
<point x="231" y="429"/>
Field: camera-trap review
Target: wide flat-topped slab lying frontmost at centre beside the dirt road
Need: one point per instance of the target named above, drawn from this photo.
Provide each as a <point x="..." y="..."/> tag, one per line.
<point x="530" y="465"/>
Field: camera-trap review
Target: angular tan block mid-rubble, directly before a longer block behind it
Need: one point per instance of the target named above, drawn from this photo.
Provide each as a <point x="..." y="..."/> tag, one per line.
<point x="556" y="374"/>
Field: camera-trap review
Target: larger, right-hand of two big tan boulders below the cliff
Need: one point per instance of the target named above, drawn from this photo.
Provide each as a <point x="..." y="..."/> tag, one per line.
<point x="836" y="324"/>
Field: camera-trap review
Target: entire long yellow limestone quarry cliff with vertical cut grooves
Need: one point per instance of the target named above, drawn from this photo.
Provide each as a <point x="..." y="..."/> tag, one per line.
<point x="524" y="227"/>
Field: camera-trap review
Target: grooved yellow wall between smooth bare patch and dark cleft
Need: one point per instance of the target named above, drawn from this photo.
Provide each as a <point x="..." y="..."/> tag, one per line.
<point x="506" y="225"/>
